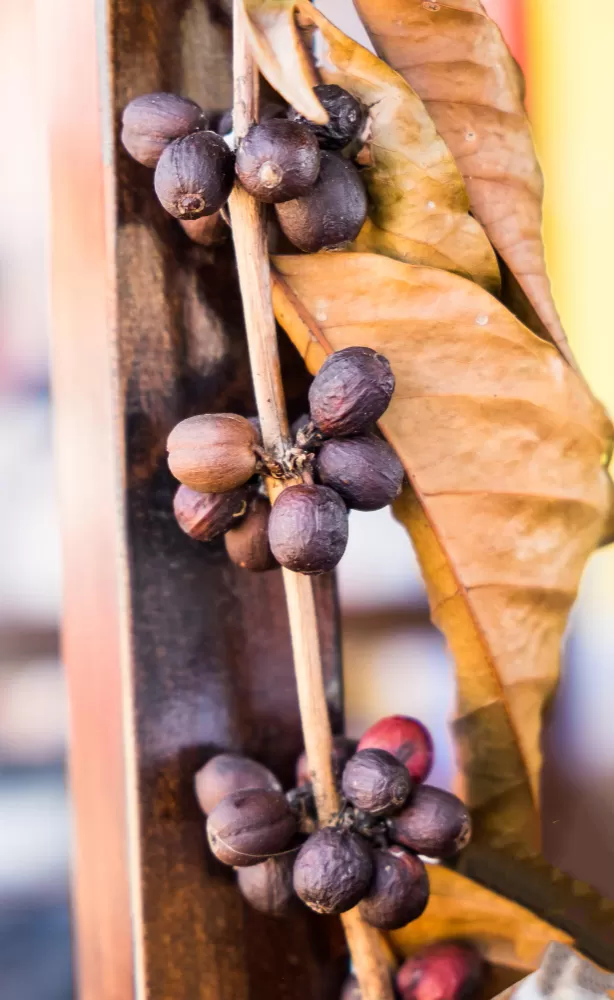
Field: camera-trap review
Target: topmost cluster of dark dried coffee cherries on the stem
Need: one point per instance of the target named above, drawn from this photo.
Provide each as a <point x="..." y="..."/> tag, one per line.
<point x="285" y="161"/>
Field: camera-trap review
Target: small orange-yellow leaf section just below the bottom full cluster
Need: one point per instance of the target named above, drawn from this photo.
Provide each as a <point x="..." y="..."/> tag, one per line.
<point x="506" y="933"/>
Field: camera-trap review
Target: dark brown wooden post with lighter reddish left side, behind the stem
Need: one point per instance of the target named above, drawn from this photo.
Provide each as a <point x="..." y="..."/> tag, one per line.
<point x="171" y="652"/>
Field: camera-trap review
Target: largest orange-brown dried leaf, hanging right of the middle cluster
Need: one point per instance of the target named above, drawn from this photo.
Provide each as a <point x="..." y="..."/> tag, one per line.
<point x="502" y="444"/>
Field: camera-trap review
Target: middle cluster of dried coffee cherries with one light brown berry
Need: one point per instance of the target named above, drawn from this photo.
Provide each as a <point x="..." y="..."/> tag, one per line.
<point x="219" y="460"/>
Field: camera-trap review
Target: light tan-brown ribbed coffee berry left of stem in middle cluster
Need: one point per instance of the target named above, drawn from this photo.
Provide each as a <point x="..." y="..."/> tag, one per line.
<point x="213" y="452"/>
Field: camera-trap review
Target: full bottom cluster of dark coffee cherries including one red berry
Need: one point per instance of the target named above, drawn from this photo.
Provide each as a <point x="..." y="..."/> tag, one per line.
<point x="371" y="855"/>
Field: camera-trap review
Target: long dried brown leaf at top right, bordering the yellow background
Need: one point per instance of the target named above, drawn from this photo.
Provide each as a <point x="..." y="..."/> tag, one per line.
<point x="456" y="59"/>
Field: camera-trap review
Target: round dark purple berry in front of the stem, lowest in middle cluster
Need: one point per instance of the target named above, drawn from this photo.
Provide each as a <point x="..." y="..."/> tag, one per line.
<point x="308" y="529"/>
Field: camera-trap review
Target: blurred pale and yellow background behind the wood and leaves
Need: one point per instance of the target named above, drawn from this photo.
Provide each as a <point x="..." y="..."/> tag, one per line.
<point x="394" y="660"/>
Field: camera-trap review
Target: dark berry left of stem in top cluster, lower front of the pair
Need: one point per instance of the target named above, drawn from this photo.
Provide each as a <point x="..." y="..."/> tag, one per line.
<point x="194" y="175"/>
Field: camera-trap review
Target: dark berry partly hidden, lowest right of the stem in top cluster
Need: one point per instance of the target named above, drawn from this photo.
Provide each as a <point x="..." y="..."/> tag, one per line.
<point x="332" y="213"/>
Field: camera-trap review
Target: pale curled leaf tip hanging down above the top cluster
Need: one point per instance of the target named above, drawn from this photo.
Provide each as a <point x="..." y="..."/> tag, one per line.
<point x="278" y="48"/>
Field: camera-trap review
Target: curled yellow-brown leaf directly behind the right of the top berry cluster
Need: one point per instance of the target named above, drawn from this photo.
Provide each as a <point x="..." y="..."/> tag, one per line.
<point x="419" y="208"/>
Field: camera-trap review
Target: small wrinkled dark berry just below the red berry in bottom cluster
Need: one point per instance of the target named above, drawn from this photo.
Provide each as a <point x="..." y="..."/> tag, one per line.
<point x="375" y="782"/>
